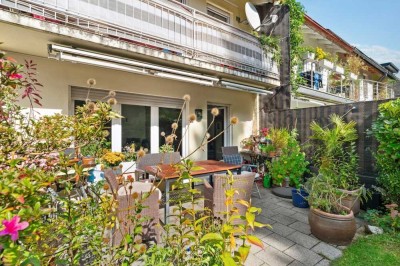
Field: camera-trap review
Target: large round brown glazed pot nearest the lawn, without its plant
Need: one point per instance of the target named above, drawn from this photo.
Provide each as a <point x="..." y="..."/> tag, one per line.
<point x="332" y="228"/>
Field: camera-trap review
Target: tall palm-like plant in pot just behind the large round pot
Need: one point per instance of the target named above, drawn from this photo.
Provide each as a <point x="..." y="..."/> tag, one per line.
<point x="335" y="155"/>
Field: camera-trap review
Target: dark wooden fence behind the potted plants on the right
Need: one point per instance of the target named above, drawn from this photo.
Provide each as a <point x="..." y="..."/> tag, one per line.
<point x="364" y="113"/>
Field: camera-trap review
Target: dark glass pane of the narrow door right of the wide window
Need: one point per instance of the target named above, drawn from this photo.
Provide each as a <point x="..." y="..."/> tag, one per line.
<point x="214" y="147"/>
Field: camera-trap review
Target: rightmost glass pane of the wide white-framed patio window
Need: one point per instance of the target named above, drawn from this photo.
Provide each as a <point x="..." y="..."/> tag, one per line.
<point x="167" y="116"/>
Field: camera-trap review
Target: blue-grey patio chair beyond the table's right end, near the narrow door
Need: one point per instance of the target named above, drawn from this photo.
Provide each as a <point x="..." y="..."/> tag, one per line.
<point x="231" y="155"/>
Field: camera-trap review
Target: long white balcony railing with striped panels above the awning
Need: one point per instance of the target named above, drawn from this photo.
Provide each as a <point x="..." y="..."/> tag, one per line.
<point x="159" y="24"/>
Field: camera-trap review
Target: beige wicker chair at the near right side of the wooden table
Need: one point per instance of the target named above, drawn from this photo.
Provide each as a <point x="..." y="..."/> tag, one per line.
<point x="214" y="197"/>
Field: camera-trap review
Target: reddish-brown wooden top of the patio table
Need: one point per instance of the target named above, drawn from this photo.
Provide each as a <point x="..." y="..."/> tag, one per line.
<point x="167" y="171"/>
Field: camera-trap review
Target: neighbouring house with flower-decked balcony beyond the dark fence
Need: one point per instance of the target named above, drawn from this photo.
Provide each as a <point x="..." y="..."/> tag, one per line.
<point x="330" y="82"/>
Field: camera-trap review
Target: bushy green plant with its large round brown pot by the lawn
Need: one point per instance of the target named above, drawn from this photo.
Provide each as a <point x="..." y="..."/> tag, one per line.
<point x="329" y="220"/>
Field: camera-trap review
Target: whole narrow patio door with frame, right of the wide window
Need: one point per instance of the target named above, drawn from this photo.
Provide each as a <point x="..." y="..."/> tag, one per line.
<point x="214" y="148"/>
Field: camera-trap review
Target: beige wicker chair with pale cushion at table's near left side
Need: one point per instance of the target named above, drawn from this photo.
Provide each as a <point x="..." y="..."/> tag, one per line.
<point x="126" y="211"/>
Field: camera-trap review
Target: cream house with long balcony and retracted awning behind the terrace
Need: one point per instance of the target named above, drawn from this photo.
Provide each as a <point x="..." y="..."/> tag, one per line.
<point x="151" y="52"/>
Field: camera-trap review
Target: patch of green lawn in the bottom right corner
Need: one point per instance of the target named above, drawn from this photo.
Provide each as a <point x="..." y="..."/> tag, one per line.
<point x="372" y="250"/>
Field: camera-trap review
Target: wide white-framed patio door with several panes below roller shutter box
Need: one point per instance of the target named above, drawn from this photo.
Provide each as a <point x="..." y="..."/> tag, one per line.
<point x="144" y="118"/>
